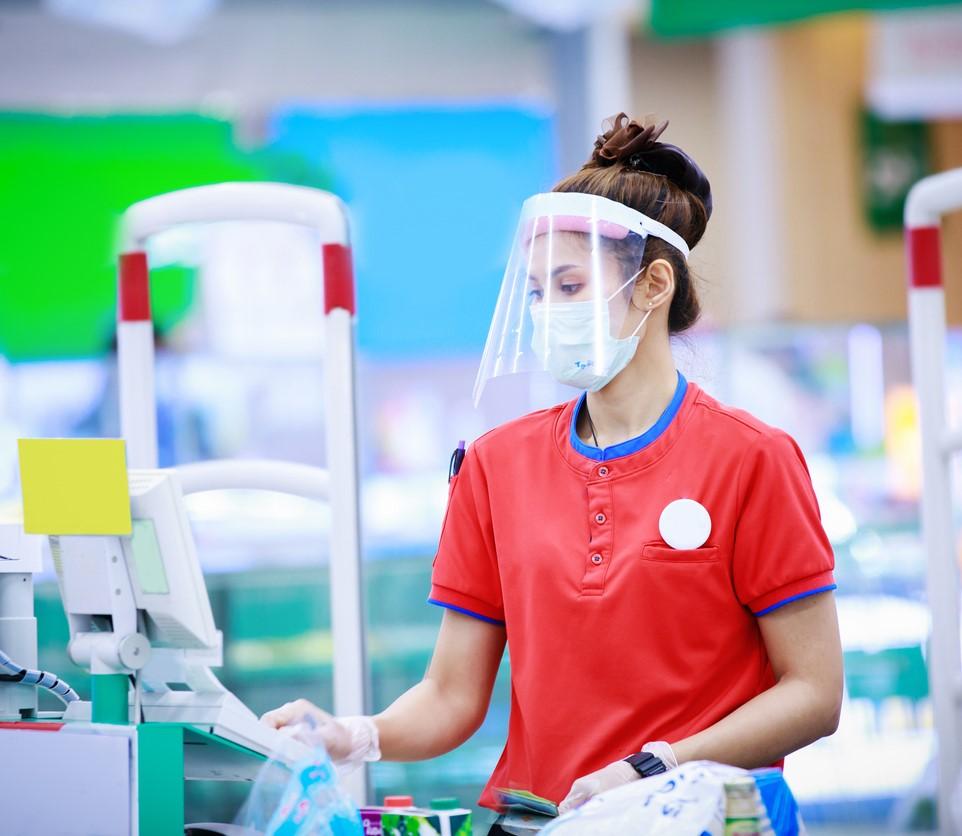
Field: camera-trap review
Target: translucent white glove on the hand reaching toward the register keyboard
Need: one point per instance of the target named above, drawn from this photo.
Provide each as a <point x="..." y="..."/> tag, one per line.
<point x="346" y="739"/>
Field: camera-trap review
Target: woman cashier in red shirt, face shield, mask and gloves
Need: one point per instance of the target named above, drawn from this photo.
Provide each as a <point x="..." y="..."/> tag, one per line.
<point x="653" y="557"/>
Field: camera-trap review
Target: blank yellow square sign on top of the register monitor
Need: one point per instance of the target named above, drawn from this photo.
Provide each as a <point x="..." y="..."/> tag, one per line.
<point x="74" y="486"/>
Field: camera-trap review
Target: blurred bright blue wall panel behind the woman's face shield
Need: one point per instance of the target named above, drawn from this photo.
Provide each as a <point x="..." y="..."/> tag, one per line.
<point x="434" y="195"/>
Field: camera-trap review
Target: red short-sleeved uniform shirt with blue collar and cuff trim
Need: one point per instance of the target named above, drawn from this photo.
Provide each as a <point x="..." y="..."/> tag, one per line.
<point x="615" y="638"/>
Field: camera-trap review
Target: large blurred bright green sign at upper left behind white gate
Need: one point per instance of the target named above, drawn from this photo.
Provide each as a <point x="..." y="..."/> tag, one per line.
<point x="64" y="183"/>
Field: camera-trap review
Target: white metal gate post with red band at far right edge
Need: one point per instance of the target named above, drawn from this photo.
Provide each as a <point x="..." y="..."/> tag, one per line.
<point x="926" y="202"/>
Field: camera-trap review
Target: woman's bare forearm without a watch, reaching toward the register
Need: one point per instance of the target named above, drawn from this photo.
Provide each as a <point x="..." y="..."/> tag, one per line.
<point x="425" y="722"/>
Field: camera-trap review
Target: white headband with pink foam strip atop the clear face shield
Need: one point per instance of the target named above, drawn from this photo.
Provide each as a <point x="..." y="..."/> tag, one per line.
<point x="577" y="212"/>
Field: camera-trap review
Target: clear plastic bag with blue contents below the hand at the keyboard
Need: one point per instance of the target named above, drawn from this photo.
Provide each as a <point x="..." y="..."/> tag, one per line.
<point x="300" y="800"/>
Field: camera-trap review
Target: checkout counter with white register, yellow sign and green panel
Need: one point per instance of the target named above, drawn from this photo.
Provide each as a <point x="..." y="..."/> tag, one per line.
<point x="141" y="622"/>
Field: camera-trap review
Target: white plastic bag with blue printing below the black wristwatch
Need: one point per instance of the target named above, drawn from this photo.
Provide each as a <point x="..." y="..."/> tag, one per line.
<point x="686" y="800"/>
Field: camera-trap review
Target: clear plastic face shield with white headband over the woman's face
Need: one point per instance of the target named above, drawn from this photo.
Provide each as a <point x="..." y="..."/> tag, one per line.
<point x="567" y="303"/>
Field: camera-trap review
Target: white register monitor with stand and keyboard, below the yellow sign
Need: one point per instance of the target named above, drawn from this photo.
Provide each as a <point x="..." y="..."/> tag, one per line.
<point x="139" y="605"/>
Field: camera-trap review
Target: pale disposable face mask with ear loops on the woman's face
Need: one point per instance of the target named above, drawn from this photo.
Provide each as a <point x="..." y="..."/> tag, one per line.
<point x="568" y="349"/>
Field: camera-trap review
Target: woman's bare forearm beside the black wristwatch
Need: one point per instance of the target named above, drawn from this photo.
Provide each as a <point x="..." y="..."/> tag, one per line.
<point x="781" y="720"/>
